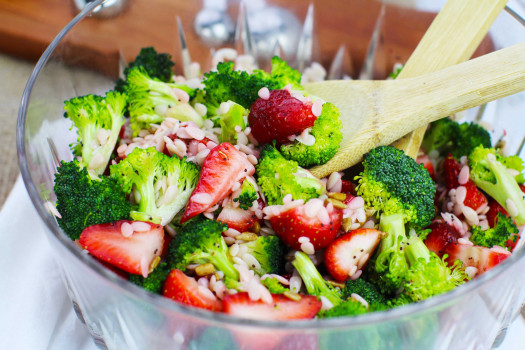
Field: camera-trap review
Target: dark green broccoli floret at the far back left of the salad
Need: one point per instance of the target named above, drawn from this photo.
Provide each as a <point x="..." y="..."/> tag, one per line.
<point x="157" y="65"/>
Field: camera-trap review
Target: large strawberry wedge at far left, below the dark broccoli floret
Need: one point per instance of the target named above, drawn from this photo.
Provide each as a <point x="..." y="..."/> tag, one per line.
<point x="133" y="254"/>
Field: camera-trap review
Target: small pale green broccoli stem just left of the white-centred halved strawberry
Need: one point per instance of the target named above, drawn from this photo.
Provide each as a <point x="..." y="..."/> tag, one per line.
<point x="315" y="284"/>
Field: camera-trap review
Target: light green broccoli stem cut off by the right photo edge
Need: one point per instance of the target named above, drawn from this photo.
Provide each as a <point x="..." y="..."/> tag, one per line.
<point x="489" y="172"/>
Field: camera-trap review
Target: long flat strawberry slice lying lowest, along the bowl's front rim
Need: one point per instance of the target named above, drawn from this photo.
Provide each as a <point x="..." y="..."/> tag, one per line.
<point x="281" y="308"/>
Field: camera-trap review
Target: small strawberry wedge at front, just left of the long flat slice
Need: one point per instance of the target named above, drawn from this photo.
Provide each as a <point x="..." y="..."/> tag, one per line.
<point x="186" y="290"/>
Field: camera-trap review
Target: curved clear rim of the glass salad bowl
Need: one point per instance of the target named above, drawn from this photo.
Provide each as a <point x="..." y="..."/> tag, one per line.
<point x="163" y="303"/>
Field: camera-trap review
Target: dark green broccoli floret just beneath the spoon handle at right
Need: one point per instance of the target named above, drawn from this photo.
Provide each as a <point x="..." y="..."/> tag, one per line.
<point x="448" y="136"/>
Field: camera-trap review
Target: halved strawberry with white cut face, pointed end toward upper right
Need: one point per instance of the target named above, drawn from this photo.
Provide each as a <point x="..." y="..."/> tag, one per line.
<point x="350" y="252"/>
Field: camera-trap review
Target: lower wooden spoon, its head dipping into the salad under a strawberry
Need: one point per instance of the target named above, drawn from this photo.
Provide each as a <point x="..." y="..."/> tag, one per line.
<point x="377" y="113"/>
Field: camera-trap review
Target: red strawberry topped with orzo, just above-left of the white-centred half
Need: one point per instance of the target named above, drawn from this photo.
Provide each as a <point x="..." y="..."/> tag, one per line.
<point x="294" y="223"/>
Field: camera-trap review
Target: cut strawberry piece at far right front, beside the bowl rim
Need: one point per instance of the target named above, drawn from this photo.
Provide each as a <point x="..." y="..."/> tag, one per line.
<point x="481" y="258"/>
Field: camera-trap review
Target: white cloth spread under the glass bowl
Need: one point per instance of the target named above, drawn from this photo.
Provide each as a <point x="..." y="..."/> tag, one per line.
<point x="35" y="311"/>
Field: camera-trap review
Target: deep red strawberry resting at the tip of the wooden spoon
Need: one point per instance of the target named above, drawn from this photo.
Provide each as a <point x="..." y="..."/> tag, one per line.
<point x="279" y="116"/>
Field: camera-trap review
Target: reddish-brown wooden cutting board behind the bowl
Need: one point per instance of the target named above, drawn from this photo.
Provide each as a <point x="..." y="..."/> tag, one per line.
<point x="28" y="26"/>
